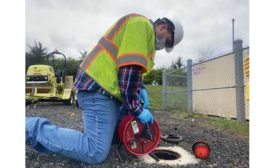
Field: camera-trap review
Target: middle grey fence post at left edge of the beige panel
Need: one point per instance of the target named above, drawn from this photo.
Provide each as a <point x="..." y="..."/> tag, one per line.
<point x="189" y="86"/>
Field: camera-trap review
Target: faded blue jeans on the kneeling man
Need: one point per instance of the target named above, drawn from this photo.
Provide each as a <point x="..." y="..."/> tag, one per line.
<point x="100" y="114"/>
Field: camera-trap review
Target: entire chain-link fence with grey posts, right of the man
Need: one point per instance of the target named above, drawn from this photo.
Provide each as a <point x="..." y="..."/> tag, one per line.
<point x="216" y="87"/>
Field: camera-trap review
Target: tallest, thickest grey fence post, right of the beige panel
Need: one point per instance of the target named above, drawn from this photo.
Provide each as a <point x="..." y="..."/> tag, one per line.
<point x="239" y="81"/>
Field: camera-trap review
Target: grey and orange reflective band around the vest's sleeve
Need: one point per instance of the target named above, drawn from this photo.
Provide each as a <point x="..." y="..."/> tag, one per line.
<point x="134" y="58"/>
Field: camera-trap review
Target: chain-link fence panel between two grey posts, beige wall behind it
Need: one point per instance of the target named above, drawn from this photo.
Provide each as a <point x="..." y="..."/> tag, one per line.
<point x="213" y="88"/>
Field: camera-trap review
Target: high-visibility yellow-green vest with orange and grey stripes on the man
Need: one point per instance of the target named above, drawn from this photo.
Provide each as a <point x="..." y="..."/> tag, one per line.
<point x="130" y="41"/>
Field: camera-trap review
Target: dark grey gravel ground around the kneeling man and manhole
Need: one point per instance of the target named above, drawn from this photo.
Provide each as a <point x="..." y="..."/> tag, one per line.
<point x="227" y="150"/>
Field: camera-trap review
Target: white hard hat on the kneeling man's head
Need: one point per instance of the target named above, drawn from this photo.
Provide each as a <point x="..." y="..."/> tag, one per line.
<point x="178" y="33"/>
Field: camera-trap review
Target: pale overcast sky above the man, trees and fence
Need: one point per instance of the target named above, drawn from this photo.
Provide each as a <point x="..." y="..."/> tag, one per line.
<point x="76" y="25"/>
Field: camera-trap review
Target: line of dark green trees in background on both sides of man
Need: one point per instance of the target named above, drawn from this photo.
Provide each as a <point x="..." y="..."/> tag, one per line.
<point x="37" y="54"/>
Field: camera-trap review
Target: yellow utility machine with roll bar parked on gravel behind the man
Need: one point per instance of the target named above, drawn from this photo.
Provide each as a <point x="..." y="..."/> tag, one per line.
<point x="43" y="83"/>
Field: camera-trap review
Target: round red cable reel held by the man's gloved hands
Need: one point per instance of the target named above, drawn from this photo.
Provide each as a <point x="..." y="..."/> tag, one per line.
<point x="138" y="139"/>
